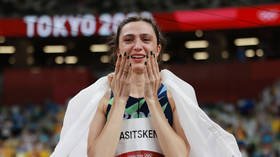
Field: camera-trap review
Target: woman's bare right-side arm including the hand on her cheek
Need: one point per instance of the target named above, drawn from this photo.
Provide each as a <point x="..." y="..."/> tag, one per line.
<point x="171" y="139"/>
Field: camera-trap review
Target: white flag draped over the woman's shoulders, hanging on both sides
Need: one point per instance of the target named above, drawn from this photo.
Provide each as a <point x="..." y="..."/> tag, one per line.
<point x="206" y="138"/>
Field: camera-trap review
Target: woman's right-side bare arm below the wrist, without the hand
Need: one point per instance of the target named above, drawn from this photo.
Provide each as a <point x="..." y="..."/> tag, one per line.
<point x="172" y="140"/>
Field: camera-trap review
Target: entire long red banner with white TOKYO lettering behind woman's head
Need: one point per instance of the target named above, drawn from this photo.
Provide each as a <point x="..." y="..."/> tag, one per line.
<point x="105" y="24"/>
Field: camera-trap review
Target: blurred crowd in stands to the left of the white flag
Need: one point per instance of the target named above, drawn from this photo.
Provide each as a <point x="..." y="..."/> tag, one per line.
<point x="30" y="130"/>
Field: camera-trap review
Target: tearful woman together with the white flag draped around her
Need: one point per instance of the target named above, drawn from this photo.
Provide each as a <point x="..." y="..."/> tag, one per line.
<point x="139" y="110"/>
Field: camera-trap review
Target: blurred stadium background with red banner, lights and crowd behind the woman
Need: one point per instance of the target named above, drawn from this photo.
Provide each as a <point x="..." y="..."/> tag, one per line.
<point x="228" y="50"/>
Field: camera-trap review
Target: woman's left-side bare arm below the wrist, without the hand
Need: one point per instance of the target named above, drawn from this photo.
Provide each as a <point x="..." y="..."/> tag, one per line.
<point x="104" y="136"/>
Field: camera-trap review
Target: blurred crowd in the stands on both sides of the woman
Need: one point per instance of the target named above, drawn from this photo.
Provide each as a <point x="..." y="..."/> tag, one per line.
<point x="32" y="130"/>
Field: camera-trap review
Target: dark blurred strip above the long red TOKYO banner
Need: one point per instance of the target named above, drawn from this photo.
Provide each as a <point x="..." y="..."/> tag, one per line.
<point x="17" y="8"/>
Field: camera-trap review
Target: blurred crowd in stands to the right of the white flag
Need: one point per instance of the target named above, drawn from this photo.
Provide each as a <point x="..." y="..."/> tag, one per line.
<point x="255" y="123"/>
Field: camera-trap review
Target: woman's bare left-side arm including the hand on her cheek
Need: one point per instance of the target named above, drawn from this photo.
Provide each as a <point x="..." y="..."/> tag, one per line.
<point x="104" y="135"/>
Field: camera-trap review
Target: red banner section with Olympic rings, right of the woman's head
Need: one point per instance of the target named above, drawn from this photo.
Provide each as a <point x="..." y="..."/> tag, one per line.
<point x="226" y="18"/>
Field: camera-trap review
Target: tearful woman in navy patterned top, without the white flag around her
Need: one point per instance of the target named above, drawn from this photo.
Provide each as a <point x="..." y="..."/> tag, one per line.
<point x="138" y="45"/>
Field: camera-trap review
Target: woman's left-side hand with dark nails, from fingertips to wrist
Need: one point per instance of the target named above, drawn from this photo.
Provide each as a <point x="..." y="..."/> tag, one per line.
<point x="120" y="79"/>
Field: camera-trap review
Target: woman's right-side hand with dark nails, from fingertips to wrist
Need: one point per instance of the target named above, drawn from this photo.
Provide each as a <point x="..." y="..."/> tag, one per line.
<point x="152" y="78"/>
